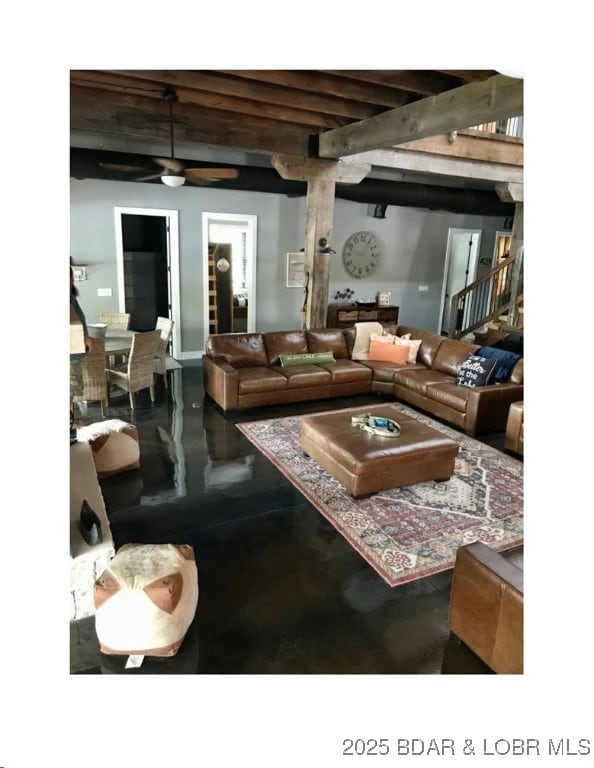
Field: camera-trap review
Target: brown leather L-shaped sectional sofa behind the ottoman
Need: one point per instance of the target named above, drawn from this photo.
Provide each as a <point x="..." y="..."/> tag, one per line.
<point x="243" y="370"/>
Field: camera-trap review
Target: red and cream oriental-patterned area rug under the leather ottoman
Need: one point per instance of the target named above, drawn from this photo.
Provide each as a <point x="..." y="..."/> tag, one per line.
<point x="412" y="532"/>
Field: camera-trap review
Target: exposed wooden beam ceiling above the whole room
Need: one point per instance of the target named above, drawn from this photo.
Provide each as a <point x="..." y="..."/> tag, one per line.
<point x="245" y="117"/>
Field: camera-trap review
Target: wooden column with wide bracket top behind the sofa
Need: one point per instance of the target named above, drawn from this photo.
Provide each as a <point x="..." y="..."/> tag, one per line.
<point x="321" y="176"/>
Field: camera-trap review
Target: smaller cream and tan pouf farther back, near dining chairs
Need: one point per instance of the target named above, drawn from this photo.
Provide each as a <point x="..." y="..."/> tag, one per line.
<point x="114" y="444"/>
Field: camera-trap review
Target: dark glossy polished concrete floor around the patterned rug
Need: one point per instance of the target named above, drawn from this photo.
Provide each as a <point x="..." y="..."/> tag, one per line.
<point x="281" y="592"/>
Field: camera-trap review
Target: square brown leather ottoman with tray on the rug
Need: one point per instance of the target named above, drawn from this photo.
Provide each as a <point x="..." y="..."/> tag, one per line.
<point x="365" y="463"/>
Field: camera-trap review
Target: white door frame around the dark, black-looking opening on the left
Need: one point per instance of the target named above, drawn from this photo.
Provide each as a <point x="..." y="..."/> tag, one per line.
<point x="172" y="222"/>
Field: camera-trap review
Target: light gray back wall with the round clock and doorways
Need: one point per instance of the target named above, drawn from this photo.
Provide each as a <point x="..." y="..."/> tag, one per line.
<point x="413" y="245"/>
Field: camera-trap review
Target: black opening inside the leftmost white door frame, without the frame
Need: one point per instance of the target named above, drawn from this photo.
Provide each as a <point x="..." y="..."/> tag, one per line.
<point x="146" y="272"/>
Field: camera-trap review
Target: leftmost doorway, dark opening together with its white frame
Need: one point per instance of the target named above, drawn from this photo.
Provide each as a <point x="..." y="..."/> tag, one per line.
<point x="147" y="255"/>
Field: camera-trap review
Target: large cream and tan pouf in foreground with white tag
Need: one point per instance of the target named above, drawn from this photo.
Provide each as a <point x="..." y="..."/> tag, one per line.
<point x="146" y="599"/>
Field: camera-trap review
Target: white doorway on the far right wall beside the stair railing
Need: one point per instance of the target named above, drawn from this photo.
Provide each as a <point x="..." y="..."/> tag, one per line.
<point x="460" y="270"/>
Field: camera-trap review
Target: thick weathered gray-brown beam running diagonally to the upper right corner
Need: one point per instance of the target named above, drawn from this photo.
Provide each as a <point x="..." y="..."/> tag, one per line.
<point x="497" y="98"/>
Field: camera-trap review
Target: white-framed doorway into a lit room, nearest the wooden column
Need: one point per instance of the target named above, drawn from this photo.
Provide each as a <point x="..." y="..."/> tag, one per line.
<point x="229" y="258"/>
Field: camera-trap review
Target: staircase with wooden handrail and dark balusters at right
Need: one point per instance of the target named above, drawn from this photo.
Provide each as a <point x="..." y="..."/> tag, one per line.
<point x="495" y="301"/>
